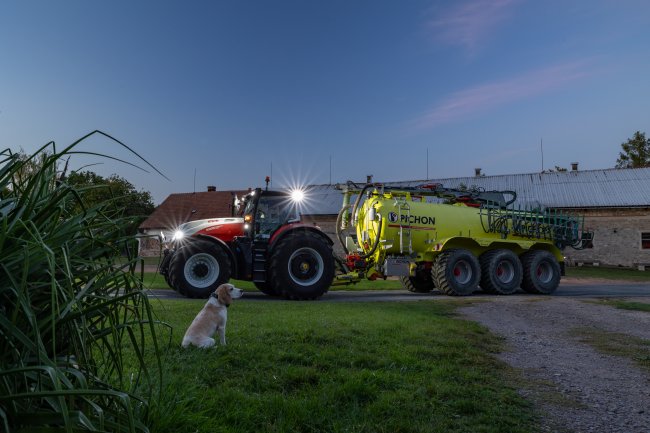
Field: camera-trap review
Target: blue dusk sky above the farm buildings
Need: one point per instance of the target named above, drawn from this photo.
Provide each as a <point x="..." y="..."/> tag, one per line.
<point x="221" y="93"/>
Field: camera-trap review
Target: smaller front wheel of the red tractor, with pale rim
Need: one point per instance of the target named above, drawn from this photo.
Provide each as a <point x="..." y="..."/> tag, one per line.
<point x="197" y="269"/>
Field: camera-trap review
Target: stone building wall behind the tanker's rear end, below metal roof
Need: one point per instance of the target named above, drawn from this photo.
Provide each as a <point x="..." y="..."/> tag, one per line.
<point x="617" y="237"/>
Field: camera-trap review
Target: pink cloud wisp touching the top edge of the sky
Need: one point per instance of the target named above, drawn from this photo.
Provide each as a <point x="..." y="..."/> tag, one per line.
<point x="471" y="22"/>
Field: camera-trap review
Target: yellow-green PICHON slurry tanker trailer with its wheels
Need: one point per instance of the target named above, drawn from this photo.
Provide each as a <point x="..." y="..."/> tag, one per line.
<point x="456" y="246"/>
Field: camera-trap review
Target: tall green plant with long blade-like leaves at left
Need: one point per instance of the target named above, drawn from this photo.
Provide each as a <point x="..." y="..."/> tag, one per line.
<point x="69" y="303"/>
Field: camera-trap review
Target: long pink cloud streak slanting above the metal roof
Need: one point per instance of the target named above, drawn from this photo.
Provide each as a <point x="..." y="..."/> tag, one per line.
<point x="487" y="96"/>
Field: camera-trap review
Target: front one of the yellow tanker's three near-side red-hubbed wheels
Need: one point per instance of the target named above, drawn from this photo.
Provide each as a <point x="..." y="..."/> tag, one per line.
<point x="456" y="272"/>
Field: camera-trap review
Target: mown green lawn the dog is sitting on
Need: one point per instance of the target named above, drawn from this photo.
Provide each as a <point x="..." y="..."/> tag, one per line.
<point x="328" y="367"/>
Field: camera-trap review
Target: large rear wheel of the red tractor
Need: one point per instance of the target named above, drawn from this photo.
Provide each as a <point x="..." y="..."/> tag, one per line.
<point x="302" y="266"/>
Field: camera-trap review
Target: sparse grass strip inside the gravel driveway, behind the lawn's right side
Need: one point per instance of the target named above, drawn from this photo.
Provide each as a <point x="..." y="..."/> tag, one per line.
<point x="617" y="344"/>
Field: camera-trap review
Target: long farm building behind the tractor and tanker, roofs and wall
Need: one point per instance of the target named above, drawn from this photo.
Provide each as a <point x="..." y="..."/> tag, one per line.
<point x="615" y="203"/>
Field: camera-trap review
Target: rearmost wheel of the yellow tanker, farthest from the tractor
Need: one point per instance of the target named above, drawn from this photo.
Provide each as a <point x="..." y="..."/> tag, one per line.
<point x="541" y="272"/>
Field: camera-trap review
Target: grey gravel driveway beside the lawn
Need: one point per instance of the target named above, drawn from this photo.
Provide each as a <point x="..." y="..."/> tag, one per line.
<point x="576" y="388"/>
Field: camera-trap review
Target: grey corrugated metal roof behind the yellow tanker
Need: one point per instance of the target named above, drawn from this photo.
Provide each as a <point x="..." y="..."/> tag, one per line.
<point x="570" y="189"/>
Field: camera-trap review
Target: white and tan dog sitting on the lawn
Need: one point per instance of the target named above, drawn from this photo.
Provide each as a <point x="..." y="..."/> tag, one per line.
<point x="212" y="318"/>
